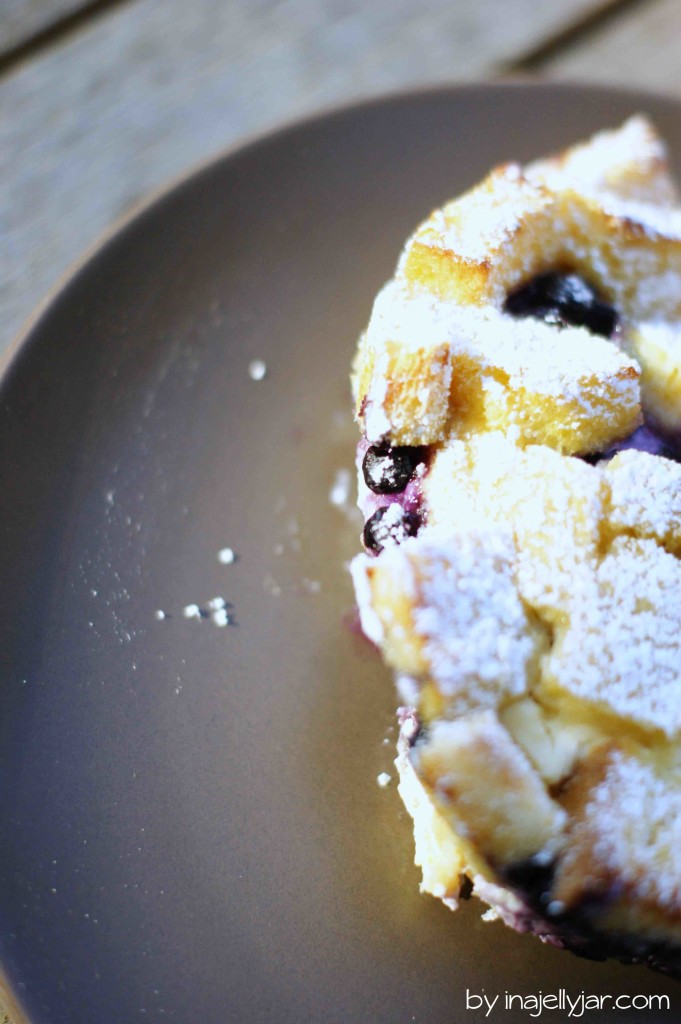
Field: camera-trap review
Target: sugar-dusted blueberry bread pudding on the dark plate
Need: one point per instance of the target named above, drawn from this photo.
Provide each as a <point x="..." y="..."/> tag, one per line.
<point x="519" y="388"/>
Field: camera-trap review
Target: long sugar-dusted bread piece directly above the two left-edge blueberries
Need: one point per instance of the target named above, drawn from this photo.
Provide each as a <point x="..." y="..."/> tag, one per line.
<point x="428" y="371"/>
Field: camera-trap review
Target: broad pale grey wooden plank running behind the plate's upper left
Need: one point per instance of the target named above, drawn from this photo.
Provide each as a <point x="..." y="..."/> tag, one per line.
<point x="156" y="87"/>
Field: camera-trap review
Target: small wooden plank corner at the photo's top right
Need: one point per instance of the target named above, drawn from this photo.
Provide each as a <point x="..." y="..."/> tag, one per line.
<point x="641" y="51"/>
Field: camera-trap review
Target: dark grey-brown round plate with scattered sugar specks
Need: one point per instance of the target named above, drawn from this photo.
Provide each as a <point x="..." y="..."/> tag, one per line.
<point x="193" y="829"/>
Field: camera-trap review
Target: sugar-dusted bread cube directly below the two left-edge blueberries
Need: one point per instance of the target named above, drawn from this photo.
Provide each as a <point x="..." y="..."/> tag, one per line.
<point x="450" y="613"/>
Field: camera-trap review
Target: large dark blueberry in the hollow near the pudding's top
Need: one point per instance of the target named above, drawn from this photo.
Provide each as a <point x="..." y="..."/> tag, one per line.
<point x="564" y="300"/>
